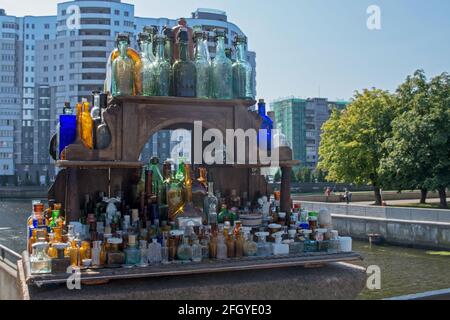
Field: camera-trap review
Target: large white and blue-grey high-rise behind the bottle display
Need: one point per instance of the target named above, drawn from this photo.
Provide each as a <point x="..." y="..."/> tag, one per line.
<point x="49" y="60"/>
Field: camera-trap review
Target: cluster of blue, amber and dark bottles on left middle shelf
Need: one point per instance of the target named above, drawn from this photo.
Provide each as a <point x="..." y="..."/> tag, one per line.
<point x="87" y="124"/>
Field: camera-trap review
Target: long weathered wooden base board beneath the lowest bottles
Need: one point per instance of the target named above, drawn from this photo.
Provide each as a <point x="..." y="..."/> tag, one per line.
<point x="180" y="269"/>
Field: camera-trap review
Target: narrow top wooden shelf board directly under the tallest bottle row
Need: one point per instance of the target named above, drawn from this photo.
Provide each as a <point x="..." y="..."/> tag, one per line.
<point x="185" y="101"/>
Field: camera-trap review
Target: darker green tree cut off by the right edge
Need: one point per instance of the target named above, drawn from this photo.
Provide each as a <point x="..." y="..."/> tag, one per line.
<point x="418" y="153"/>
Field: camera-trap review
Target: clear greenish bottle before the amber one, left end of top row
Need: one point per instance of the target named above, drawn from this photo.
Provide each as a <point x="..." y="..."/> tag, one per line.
<point x="123" y="69"/>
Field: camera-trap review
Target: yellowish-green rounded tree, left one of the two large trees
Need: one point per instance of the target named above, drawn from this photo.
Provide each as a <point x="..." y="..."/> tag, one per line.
<point x="352" y="143"/>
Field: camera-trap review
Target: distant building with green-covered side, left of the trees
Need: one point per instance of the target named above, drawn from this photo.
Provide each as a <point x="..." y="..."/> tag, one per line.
<point x="301" y="121"/>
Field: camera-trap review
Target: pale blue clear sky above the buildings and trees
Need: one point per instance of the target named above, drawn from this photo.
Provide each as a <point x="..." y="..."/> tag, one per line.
<point x="310" y="48"/>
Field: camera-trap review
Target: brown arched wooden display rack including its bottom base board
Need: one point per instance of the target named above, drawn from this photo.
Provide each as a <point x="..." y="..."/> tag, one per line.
<point x="132" y="121"/>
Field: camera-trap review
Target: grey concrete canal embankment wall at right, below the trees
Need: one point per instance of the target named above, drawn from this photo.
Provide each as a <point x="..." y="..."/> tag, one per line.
<point x="425" y="228"/>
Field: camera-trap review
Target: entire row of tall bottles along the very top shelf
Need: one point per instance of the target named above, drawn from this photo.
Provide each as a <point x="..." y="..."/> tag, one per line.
<point x="177" y="62"/>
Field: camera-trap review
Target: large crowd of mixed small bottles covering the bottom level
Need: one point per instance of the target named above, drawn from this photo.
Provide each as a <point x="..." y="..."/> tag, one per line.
<point x="175" y="218"/>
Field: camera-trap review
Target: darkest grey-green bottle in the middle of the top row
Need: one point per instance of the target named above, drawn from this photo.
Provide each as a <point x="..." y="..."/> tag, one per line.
<point x="184" y="71"/>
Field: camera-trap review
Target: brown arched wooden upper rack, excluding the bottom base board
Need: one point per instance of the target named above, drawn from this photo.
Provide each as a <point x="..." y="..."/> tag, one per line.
<point x="132" y="122"/>
